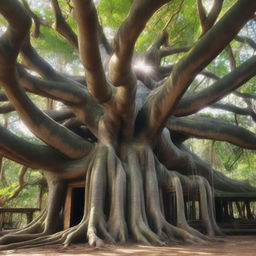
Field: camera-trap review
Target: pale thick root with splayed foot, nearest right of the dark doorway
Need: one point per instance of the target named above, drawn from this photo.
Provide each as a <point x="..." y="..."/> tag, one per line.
<point x="93" y="226"/>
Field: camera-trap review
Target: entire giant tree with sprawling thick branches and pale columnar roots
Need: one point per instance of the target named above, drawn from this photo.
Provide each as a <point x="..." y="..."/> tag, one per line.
<point x="122" y="133"/>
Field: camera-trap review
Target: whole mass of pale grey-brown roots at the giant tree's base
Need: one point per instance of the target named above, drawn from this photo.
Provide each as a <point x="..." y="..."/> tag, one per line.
<point x="110" y="187"/>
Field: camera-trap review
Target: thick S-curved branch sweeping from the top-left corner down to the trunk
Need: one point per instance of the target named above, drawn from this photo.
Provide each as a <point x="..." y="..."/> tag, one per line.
<point x="42" y="126"/>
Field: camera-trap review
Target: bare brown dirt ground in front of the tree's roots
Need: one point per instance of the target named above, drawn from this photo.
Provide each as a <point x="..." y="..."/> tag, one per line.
<point x="230" y="246"/>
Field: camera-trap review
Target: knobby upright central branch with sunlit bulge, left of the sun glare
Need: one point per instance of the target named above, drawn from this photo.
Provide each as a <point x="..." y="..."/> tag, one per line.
<point x="120" y="72"/>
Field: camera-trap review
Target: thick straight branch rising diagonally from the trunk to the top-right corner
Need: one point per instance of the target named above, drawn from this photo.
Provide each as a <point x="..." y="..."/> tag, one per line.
<point x="160" y="104"/>
